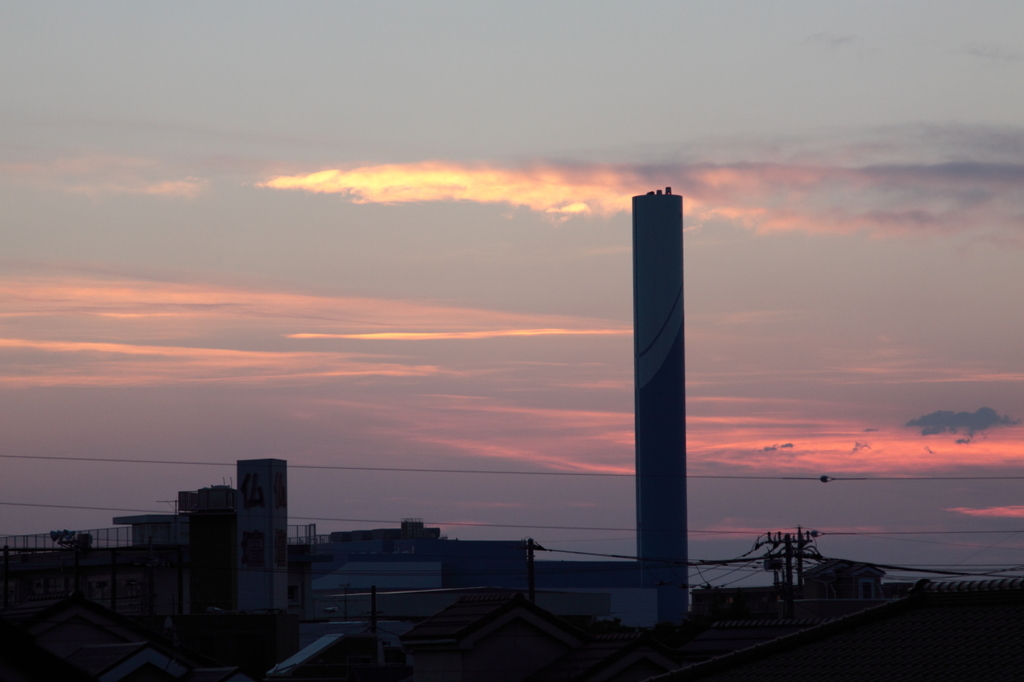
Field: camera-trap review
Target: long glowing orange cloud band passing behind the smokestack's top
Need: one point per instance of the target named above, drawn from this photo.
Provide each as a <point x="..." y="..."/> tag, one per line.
<point x="766" y="197"/>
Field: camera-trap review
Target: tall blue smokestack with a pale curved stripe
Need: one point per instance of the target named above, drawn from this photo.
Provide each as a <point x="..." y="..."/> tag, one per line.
<point x="661" y="410"/>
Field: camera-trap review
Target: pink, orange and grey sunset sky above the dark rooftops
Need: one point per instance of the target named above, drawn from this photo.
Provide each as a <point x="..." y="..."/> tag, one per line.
<point x="398" y="235"/>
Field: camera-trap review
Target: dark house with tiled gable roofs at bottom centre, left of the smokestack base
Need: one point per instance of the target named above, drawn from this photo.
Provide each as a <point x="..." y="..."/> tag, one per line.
<point x="506" y="638"/>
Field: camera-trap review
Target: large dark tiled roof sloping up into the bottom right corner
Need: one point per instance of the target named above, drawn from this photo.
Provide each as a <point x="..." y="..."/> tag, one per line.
<point x="942" y="631"/>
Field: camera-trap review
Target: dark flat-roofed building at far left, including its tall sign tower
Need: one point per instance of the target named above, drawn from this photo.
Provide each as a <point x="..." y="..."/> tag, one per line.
<point x="214" y="555"/>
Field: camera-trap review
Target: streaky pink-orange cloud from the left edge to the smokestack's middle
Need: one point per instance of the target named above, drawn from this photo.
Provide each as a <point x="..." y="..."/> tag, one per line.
<point x="80" y="331"/>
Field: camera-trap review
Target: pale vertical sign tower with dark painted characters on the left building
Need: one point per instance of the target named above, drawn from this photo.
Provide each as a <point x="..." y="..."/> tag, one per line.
<point x="263" y="540"/>
